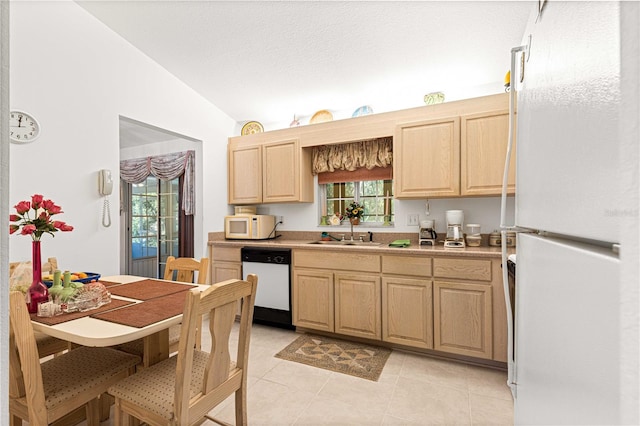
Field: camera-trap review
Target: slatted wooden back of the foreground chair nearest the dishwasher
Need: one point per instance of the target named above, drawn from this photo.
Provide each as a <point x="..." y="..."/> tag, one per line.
<point x="220" y="302"/>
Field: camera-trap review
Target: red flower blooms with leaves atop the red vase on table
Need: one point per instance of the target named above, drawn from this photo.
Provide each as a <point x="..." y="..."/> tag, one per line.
<point x="41" y="222"/>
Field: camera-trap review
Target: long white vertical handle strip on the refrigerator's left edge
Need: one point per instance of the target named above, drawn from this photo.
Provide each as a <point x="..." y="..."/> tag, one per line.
<point x="511" y="379"/>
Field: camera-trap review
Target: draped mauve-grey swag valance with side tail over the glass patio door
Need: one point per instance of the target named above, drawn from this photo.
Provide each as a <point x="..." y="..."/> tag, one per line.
<point x="165" y="167"/>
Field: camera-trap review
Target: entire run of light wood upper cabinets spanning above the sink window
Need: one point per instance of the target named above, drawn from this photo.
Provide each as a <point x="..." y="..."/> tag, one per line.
<point x="450" y="149"/>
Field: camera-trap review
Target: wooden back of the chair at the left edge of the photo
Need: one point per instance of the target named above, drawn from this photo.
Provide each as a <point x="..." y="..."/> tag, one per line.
<point x="27" y="360"/>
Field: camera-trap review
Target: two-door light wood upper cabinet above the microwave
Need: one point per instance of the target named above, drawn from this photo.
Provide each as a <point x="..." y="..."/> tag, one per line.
<point x="275" y="172"/>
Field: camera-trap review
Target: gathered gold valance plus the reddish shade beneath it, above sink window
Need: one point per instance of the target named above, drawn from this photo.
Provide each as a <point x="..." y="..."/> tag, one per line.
<point x="352" y="161"/>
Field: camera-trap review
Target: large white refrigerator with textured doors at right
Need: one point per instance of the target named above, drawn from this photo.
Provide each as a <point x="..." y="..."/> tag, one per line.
<point x="565" y="365"/>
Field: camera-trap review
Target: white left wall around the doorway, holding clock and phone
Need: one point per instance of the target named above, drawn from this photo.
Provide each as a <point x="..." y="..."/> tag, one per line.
<point x="77" y="77"/>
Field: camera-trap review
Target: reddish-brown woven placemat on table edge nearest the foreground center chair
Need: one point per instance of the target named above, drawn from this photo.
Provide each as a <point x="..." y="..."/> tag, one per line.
<point x="148" y="312"/>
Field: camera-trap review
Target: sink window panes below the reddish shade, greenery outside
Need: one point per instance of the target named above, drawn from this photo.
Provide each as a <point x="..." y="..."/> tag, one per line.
<point x="375" y="195"/>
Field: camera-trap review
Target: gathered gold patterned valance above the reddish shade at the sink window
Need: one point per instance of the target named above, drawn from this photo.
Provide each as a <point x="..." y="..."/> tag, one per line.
<point x="367" y="154"/>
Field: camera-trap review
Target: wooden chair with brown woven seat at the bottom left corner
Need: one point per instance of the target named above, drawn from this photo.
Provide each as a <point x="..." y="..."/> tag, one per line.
<point x="42" y="393"/>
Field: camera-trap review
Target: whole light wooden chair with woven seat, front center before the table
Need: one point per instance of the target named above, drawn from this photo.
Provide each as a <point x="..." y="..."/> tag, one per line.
<point x="184" y="388"/>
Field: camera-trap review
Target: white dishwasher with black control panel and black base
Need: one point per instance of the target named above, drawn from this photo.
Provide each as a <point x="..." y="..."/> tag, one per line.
<point x="273" y="298"/>
